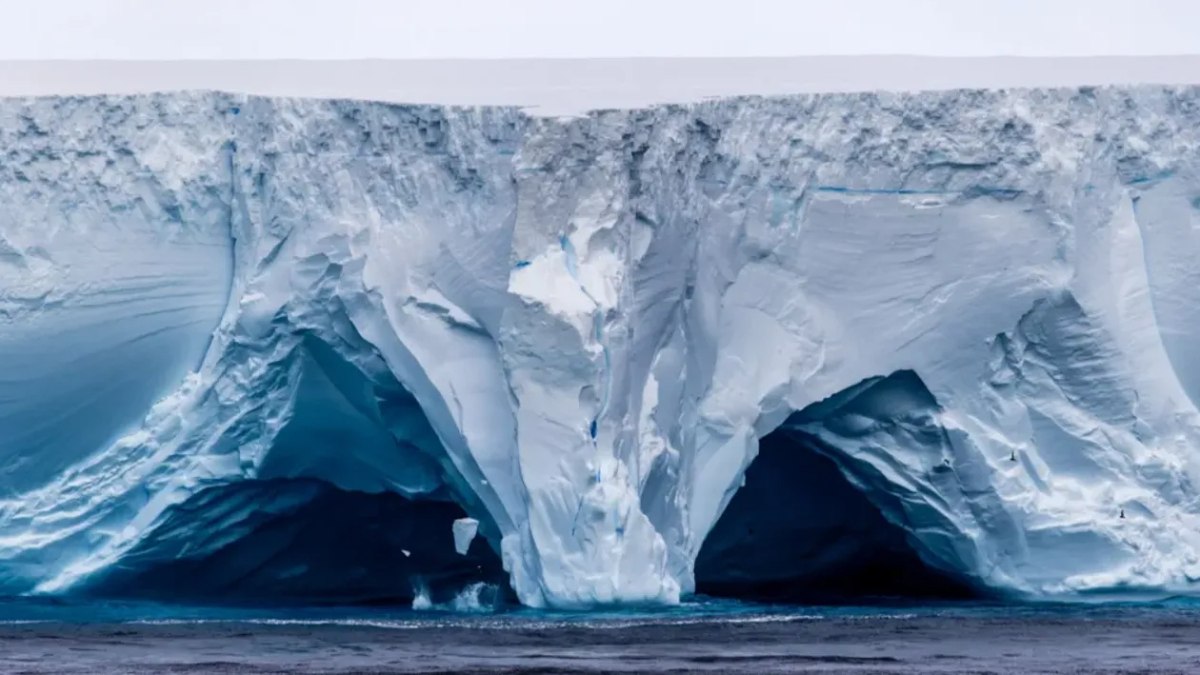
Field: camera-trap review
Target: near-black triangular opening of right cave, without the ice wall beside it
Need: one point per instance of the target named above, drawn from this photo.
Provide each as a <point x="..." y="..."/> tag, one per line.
<point x="800" y="531"/>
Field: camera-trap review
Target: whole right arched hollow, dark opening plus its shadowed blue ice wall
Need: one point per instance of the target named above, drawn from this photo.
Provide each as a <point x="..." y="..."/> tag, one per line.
<point x="825" y="516"/>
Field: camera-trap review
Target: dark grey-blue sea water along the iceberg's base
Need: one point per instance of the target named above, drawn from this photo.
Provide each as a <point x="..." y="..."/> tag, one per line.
<point x="699" y="637"/>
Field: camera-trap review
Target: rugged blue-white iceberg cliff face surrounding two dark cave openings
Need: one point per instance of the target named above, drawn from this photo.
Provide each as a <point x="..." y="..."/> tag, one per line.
<point x="579" y="328"/>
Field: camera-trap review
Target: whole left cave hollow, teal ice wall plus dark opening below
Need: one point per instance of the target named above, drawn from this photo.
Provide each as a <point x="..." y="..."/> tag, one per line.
<point x="353" y="504"/>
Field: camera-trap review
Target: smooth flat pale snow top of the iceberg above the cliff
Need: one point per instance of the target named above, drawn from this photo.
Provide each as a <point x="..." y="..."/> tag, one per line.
<point x="556" y="87"/>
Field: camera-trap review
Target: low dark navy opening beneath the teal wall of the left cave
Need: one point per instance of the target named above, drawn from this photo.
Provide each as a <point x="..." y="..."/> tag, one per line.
<point x="304" y="542"/>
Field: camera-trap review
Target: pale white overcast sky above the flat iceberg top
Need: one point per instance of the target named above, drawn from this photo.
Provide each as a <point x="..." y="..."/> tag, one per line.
<point x="467" y="29"/>
